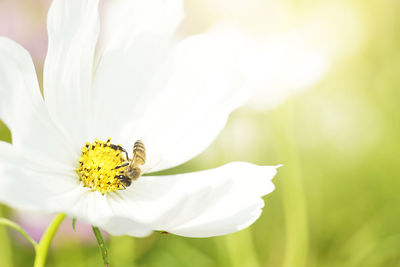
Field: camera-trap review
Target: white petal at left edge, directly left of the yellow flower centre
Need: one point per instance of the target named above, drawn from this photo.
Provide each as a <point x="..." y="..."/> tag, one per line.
<point x="23" y="186"/>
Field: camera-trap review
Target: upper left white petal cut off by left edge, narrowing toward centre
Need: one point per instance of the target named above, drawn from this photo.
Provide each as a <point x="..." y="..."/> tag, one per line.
<point x="22" y="108"/>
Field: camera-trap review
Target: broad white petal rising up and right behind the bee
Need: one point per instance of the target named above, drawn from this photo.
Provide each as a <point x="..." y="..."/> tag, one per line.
<point x="179" y="108"/>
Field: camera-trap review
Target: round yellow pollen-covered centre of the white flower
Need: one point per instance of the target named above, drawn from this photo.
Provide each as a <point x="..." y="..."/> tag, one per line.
<point x="97" y="166"/>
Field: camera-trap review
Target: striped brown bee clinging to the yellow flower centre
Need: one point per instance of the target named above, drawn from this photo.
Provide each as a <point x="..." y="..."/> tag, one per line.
<point x="133" y="167"/>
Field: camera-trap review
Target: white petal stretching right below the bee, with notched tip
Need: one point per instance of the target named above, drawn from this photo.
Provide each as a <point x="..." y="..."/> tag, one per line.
<point x="207" y="203"/>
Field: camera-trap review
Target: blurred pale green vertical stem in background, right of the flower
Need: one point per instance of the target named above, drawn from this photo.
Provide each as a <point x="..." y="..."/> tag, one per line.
<point x="294" y="201"/>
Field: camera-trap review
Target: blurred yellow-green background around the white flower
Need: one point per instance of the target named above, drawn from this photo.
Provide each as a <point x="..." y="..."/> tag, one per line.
<point x="337" y="197"/>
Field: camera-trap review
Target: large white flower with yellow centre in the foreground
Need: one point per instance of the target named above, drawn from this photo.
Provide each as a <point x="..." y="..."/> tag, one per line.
<point x="142" y="85"/>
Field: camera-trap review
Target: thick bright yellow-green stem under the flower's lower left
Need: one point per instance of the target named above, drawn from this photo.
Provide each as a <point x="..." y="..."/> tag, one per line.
<point x="44" y="244"/>
